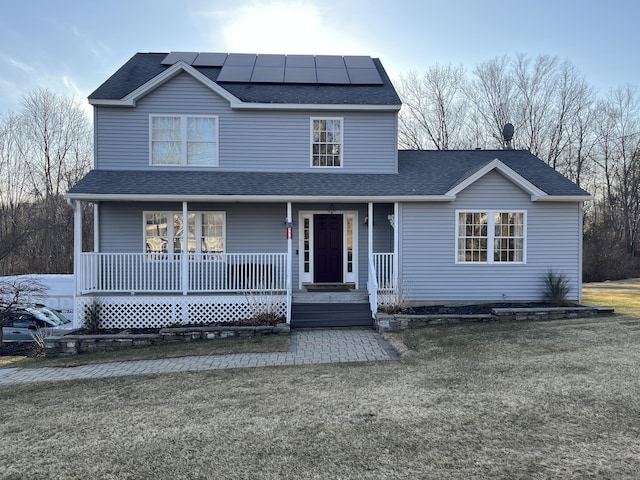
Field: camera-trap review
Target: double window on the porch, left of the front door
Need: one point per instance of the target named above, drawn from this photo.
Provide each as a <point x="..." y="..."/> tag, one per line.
<point x="164" y="232"/>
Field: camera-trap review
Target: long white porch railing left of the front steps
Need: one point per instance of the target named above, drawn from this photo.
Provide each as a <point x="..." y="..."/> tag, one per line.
<point x="161" y="272"/>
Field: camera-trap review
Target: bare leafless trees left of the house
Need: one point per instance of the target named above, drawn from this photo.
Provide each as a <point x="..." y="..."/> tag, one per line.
<point x="44" y="150"/>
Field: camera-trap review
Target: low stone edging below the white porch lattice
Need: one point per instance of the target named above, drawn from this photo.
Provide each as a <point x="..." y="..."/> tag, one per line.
<point x="74" y="344"/>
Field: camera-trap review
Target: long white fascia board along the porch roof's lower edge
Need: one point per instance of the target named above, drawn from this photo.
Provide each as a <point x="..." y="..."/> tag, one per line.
<point x="88" y="197"/>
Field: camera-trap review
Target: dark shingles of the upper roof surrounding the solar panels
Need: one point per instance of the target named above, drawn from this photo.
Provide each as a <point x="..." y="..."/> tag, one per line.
<point x="143" y="67"/>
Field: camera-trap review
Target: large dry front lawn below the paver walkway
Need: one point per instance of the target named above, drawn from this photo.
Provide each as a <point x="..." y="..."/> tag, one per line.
<point x="556" y="399"/>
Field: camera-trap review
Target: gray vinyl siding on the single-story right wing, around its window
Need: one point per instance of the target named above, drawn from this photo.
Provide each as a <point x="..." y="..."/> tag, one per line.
<point x="428" y="245"/>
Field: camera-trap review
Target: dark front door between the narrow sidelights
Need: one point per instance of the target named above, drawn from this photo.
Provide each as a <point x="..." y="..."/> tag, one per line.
<point x="327" y="248"/>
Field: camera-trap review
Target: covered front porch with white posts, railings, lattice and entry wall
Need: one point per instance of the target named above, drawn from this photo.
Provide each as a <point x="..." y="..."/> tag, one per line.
<point x="165" y="286"/>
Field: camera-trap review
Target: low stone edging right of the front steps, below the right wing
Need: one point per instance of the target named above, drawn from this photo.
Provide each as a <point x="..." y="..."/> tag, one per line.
<point x="389" y="322"/>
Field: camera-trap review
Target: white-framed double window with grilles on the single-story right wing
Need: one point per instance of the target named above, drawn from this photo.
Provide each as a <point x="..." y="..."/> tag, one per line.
<point x="490" y="237"/>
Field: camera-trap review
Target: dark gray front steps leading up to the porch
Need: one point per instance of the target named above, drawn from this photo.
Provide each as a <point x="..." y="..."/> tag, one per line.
<point x="314" y="315"/>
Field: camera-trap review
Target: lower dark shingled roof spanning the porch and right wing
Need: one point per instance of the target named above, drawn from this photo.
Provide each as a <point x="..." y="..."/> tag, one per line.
<point x="422" y="176"/>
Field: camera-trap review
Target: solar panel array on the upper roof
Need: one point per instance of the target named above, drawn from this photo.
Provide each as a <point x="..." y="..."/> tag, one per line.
<point x="268" y="68"/>
